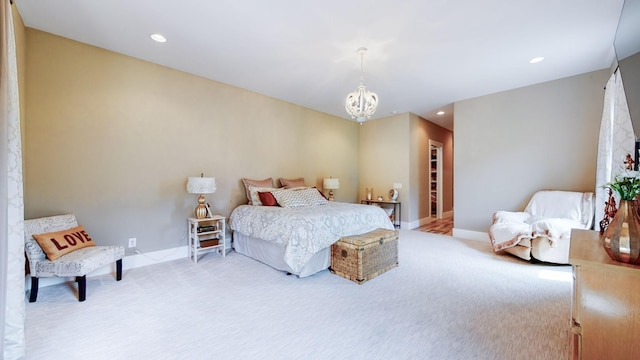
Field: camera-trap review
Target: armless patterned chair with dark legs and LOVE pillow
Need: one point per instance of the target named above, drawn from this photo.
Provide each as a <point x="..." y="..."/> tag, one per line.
<point x="60" y="248"/>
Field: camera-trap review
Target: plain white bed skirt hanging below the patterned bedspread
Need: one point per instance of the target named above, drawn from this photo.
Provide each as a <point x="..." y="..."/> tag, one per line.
<point x="273" y="255"/>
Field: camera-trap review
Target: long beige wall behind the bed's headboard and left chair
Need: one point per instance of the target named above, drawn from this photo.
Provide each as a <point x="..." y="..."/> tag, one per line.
<point x="113" y="139"/>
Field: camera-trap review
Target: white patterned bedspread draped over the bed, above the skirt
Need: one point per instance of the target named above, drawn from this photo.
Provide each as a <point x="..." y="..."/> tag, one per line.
<point x="303" y="231"/>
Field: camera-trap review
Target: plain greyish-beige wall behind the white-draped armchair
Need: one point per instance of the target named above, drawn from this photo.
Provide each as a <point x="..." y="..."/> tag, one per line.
<point x="511" y="144"/>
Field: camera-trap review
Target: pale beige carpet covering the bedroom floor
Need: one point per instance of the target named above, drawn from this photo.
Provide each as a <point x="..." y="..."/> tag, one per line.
<point x="448" y="299"/>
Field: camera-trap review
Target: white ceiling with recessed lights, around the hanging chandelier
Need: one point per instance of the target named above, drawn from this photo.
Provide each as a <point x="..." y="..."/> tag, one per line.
<point x="423" y="54"/>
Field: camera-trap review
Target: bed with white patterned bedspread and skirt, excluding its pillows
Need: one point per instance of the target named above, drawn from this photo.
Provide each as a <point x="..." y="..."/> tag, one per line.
<point x="298" y="239"/>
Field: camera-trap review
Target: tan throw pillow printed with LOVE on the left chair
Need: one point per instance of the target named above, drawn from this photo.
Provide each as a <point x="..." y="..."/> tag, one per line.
<point x="56" y="244"/>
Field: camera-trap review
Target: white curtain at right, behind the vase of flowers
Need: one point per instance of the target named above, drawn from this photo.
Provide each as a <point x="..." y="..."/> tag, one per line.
<point x="617" y="139"/>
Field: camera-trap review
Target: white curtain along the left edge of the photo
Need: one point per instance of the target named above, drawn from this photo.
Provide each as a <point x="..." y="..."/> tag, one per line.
<point x="12" y="290"/>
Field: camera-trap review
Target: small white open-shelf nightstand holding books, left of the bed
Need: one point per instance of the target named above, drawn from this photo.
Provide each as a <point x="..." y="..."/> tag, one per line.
<point x="206" y="235"/>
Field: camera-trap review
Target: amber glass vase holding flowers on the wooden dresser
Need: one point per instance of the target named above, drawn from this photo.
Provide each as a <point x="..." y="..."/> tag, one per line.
<point x="621" y="239"/>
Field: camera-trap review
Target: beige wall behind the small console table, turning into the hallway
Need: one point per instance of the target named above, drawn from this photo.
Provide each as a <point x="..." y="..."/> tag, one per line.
<point x="395" y="149"/>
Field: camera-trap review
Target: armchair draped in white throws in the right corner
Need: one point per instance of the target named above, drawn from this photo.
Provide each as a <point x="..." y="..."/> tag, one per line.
<point x="542" y="231"/>
